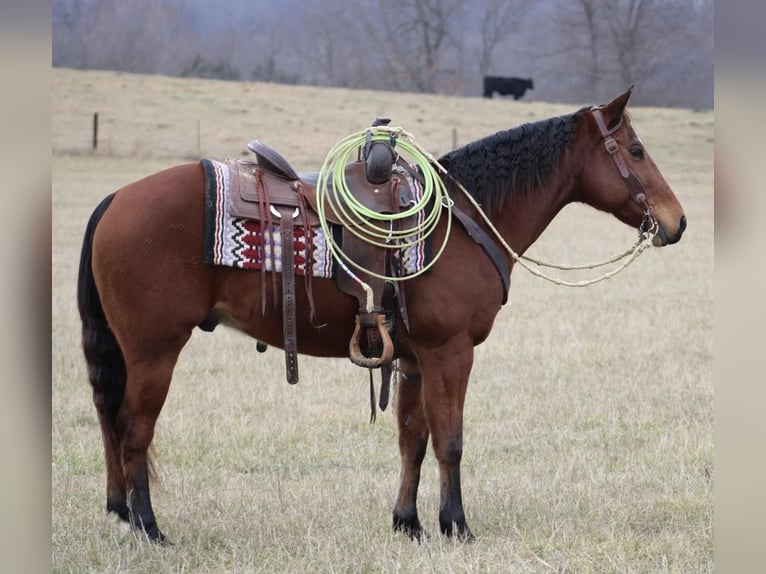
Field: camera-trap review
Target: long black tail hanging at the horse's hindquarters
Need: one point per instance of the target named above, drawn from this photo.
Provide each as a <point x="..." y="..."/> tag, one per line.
<point x="106" y="364"/>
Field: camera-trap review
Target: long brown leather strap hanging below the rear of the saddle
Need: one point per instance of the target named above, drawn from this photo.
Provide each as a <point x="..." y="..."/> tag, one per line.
<point x="286" y="231"/>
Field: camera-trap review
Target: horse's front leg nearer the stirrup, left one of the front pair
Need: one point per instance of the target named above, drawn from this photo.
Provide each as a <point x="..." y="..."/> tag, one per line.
<point x="413" y="440"/>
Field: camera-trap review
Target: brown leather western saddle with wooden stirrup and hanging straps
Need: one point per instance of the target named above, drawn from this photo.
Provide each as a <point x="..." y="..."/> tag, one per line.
<point x="270" y="191"/>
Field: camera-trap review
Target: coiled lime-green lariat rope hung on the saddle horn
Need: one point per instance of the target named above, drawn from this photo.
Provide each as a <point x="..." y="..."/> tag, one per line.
<point x="375" y="228"/>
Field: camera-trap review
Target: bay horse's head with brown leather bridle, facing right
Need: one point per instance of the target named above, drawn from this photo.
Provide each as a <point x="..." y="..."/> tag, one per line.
<point x="620" y="176"/>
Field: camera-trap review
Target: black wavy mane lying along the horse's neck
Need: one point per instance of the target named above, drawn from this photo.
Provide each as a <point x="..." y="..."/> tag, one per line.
<point x="512" y="161"/>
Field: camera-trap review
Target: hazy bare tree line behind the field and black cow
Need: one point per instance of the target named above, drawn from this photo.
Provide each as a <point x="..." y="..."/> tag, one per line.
<point x="576" y="50"/>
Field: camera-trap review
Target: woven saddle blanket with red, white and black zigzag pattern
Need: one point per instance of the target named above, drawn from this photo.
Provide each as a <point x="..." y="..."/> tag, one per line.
<point x="242" y="243"/>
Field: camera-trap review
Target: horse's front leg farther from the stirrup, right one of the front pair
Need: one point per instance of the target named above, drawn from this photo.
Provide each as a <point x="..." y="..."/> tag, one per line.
<point x="445" y="372"/>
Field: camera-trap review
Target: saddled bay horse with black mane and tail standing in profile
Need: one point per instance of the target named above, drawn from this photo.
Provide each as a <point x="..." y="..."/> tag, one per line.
<point x="143" y="288"/>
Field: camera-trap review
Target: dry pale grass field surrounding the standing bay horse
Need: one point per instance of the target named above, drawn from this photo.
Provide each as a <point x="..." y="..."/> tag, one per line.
<point x="589" y="423"/>
